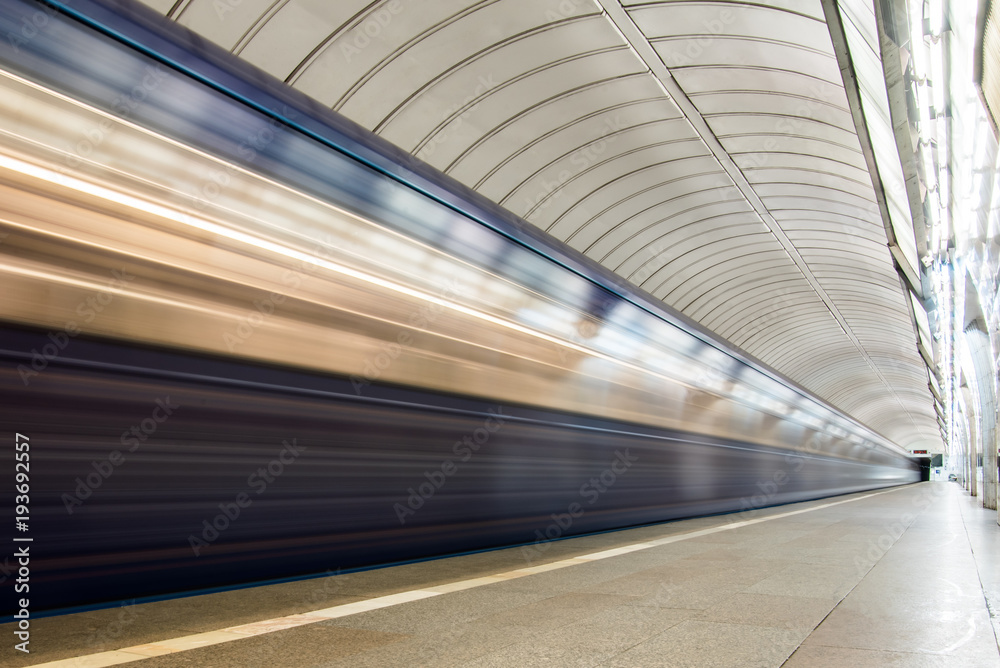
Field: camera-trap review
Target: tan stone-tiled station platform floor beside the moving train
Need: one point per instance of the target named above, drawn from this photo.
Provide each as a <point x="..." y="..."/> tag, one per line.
<point x="904" y="577"/>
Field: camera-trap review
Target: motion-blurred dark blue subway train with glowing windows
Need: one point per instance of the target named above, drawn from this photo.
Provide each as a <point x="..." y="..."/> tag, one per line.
<point x="244" y="339"/>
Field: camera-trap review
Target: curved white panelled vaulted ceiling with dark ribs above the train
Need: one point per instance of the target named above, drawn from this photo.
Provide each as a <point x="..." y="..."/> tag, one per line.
<point x="705" y="150"/>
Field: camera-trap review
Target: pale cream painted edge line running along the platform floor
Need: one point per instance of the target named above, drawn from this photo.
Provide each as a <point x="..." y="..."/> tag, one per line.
<point x="208" y="638"/>
